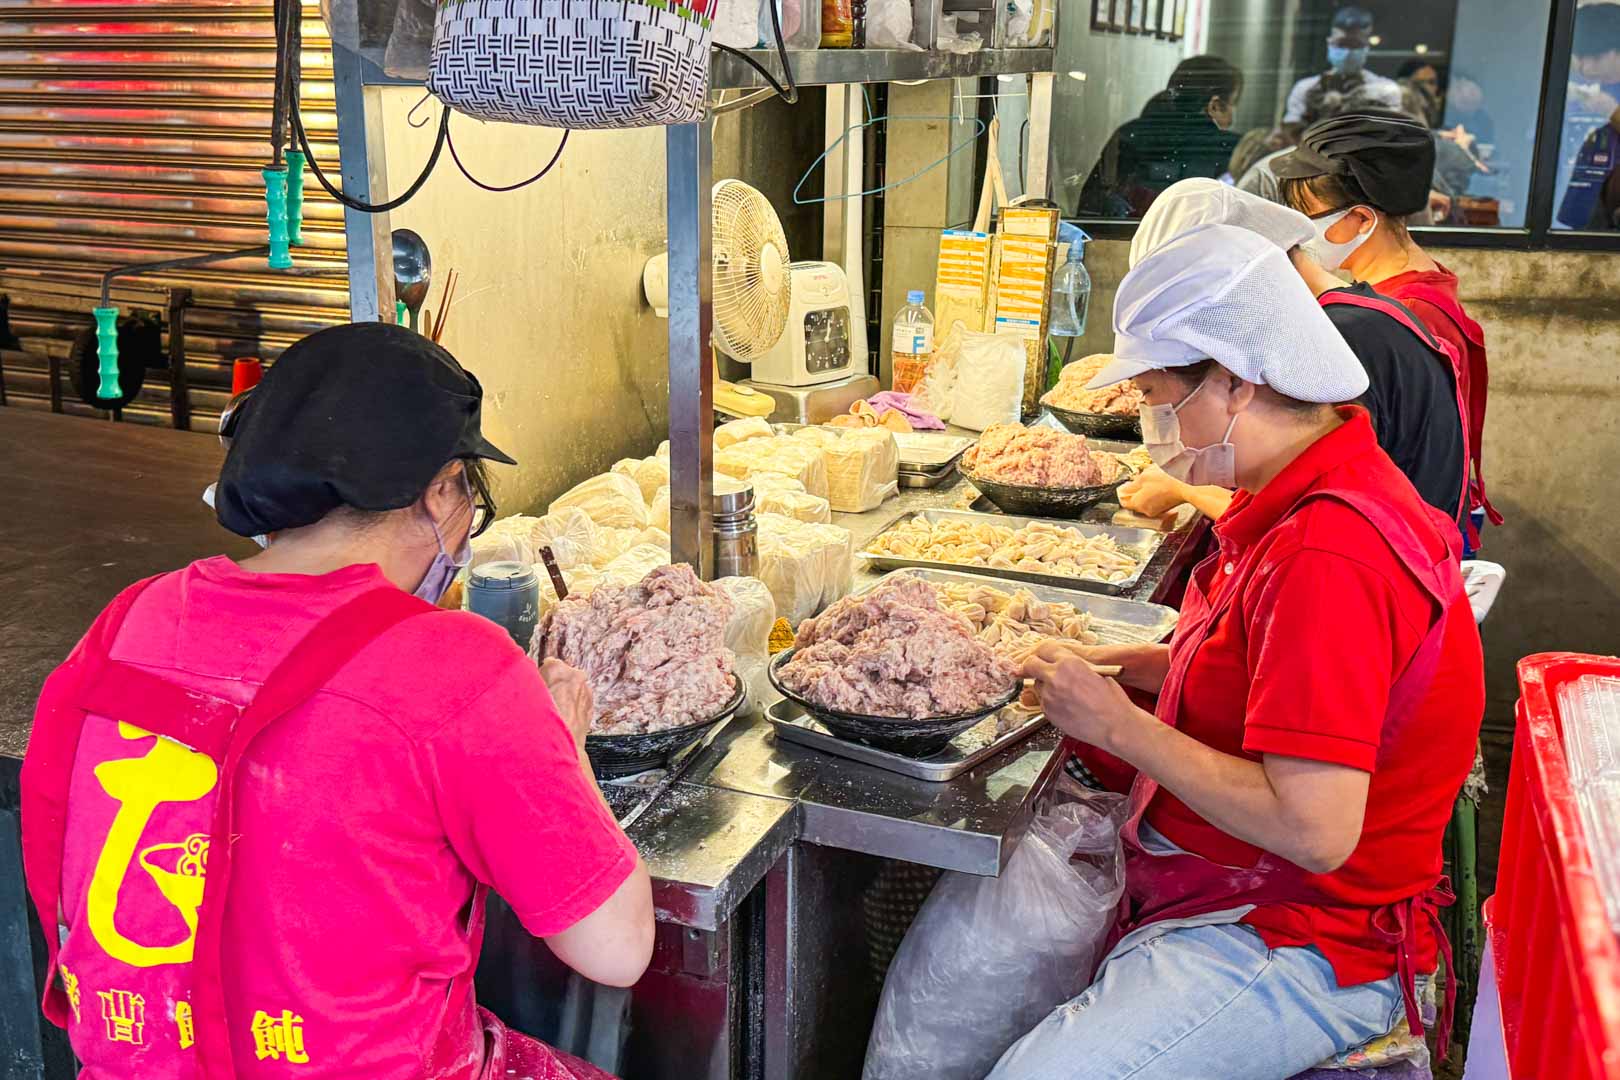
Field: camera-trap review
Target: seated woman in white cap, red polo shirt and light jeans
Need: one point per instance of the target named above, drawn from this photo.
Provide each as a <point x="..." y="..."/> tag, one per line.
<point x="1318" y="707"/>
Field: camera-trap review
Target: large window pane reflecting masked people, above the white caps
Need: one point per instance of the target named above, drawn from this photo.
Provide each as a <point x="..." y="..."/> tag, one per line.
<point x="1221" y="88"/>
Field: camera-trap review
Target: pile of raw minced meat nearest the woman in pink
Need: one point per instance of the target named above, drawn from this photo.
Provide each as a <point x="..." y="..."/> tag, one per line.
<point x="655" y="653"/>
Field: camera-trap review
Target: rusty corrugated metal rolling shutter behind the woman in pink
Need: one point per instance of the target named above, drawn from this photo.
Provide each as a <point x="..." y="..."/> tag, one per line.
<point x="135" y="132"/>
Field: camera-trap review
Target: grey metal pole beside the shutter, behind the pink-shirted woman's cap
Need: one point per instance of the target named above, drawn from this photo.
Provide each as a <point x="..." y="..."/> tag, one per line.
<point x="365" y="174"/>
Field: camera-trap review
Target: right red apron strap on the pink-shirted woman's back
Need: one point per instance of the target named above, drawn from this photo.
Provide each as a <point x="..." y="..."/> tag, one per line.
<point x="305" y="671"/>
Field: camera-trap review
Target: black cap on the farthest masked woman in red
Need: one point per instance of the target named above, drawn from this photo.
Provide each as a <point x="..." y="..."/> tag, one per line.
<point x="1388" y="155"/>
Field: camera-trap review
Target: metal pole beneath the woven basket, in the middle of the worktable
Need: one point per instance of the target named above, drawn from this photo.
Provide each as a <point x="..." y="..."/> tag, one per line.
<point x="689" y="164"/>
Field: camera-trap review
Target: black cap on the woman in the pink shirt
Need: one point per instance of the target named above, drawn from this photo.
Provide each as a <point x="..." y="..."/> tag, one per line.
<point x="362" y="415"/>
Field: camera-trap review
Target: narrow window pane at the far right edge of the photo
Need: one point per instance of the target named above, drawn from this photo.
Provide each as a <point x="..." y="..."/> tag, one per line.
<point x="1588" y="192"/>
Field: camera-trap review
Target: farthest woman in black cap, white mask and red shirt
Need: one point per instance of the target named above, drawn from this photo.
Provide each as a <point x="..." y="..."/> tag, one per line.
<point x="1358" y="177"/>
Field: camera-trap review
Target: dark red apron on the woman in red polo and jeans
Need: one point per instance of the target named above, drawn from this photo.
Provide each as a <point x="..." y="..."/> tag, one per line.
<point x="1188" y="887"/>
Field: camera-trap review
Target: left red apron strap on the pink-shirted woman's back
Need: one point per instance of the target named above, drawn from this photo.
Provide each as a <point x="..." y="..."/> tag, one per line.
<point x="48" y="773"/>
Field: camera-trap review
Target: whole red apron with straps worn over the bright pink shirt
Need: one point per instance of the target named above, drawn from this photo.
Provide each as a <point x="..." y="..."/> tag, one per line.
<point x="93" y="684"/>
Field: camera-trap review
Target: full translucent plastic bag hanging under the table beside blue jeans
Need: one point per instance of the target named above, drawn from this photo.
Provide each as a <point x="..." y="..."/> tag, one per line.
<point x="989" y="958"/>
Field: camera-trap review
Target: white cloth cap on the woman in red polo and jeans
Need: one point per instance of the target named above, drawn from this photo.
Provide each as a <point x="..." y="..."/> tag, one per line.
<point x="1222" y="292"/>
